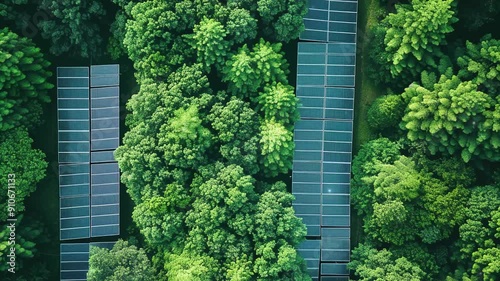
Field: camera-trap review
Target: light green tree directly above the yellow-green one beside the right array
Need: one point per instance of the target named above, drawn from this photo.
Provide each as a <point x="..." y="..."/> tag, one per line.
<point x="278" y="102"/>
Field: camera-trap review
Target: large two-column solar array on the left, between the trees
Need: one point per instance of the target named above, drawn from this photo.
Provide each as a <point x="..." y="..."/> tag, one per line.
<point x="88" y="136"/>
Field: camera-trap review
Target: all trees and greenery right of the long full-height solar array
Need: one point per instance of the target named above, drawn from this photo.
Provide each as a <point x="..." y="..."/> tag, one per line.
<point x="426" y="189"/>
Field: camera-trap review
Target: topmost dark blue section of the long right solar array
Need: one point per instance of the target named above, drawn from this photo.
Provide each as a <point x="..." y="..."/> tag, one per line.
<point x="331" y="21"/>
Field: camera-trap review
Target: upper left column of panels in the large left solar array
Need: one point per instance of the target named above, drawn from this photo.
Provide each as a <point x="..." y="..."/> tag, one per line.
<point x="73" y="114"/>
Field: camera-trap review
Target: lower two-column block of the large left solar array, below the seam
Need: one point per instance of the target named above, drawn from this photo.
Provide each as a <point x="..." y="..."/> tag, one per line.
<point x="89" y="200"/>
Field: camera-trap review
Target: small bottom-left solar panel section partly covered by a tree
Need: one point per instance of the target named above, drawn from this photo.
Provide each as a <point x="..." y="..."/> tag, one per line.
<point x="74" y="259"/>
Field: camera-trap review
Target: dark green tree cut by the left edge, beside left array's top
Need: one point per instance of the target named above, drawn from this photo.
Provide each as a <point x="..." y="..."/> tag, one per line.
<point x="23" y="81"/>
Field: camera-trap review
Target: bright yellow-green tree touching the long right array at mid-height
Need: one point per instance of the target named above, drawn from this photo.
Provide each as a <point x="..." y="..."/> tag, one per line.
<point x="277" y="148"/>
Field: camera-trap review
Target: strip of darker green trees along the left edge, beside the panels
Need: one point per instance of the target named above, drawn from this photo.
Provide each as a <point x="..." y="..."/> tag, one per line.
<point x="24" y="88"/>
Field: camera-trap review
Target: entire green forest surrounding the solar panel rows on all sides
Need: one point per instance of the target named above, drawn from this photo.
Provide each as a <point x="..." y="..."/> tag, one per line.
<point x="208" y="148"/>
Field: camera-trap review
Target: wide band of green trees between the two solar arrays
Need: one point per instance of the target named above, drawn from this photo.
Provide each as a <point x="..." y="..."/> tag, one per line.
<point x="210" y="132"/>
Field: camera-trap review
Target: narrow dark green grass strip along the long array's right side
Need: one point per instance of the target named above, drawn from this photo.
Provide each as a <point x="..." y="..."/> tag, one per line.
<point x="366" y="91"/>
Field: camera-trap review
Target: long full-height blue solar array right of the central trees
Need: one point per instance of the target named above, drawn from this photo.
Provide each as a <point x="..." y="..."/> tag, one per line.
<point x="323" y="136"/>
